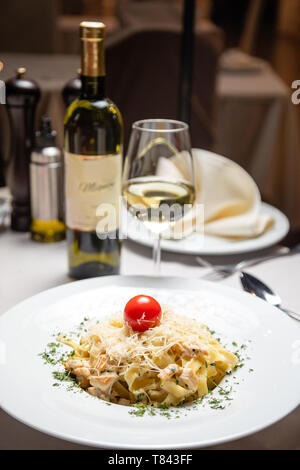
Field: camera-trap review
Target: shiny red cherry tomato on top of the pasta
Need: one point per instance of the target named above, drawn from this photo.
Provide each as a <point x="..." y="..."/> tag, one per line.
<point x="142" y="312"/>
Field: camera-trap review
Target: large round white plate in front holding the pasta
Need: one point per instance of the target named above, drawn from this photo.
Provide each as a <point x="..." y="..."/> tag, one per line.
<point x="261" y="398"/>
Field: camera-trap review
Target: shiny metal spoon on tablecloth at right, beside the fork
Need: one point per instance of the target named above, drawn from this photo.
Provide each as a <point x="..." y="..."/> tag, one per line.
<point x="256" y="287"/>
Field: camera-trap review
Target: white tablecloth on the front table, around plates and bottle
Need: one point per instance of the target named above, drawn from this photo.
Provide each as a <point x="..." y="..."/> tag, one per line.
<point x="27" y="268"/>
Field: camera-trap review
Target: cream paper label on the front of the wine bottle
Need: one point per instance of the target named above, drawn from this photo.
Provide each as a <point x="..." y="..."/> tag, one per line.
<point x="93" y="188"/>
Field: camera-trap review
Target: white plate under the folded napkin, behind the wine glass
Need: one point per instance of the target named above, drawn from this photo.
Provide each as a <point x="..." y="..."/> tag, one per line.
<point x="198" y="244"/>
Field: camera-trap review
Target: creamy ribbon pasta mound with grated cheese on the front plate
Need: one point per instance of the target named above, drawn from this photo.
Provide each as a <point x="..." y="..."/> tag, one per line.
<point x="170" y="360"/>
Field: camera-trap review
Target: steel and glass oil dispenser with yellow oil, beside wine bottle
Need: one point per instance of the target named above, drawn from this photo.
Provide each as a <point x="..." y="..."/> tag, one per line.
<point x="46" y="186"/>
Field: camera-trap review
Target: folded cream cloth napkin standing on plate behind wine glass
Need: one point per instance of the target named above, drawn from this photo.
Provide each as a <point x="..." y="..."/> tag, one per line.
<point x="230" y="197"/>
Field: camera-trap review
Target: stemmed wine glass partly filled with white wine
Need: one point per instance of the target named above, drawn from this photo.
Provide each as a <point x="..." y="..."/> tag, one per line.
<point x="158" y="178"/>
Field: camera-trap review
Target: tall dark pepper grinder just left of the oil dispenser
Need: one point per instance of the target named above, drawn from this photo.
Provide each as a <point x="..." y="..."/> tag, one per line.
<point x="22" y="96"/>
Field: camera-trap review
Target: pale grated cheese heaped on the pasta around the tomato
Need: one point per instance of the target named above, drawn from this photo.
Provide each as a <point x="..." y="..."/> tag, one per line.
<point x="124" y="347"/>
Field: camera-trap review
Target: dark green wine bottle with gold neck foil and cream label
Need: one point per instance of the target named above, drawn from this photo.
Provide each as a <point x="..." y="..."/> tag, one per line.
<point x="93" y="164"/>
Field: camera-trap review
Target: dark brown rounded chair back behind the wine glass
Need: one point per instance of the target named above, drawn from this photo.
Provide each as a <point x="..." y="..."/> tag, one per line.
<point x="143" y="76"/>
